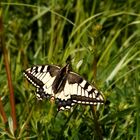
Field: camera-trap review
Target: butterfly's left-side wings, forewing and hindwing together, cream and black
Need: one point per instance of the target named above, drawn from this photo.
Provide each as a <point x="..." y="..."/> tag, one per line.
<point x="42" y="78"/>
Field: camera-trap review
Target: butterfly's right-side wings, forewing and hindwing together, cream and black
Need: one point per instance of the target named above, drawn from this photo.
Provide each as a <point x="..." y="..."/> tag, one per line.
<point x="78" y="90"/>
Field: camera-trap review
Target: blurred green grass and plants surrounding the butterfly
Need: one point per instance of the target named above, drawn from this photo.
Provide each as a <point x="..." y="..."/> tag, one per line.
<point x="102" y="38"/>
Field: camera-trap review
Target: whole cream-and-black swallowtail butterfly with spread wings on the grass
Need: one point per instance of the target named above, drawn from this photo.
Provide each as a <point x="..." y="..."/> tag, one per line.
<point x="63" y="85"/>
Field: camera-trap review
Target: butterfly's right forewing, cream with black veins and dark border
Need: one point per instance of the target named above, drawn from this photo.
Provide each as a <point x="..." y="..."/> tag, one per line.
<point x="82" y="92"/>
